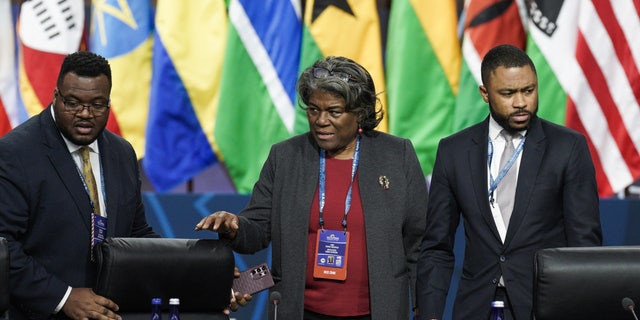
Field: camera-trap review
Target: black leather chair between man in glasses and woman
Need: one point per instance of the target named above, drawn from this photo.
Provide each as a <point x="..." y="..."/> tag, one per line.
<point x="132" y="271"/>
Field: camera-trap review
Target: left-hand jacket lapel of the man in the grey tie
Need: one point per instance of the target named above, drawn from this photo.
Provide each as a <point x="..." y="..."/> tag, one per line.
<point x="478" y="162"/>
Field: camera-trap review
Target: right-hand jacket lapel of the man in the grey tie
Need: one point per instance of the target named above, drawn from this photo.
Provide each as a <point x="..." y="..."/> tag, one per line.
<point x="530" y="163"/>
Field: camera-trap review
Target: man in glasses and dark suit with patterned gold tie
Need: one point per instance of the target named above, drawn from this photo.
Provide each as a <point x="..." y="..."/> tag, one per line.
<point x="48" y="211"/>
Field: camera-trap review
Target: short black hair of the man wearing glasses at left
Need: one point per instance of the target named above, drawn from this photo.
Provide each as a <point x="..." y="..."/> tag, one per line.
<point x="84" y="64"/>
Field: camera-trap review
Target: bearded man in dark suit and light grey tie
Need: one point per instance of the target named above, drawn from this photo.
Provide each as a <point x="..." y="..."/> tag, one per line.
<point x="553" y="197"/>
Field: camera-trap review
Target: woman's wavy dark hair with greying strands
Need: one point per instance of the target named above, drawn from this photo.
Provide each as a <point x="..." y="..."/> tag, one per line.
<point x="358" y="91"/>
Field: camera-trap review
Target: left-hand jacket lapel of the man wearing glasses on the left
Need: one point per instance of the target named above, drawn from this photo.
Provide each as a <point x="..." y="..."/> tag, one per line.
<point x="64" y="165"/>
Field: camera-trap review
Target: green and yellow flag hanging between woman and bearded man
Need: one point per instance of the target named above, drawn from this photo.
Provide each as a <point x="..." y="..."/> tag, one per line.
<point x="423" y="68"/>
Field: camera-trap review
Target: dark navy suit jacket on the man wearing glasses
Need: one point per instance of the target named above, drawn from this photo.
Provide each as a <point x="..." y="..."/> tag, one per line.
<point x="45" y="212"/>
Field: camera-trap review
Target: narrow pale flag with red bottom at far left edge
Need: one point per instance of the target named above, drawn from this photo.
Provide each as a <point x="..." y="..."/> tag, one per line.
<point x="10" y="115"/>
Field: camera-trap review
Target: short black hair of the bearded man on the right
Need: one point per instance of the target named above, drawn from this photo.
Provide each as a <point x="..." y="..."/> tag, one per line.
<point x="504" y="55"/>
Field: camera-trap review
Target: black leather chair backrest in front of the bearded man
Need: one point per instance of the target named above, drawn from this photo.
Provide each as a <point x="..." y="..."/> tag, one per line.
<point x="585" y="283"/>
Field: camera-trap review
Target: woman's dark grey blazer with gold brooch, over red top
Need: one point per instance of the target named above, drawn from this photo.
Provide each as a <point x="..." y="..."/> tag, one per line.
<point x="394" y="219"/>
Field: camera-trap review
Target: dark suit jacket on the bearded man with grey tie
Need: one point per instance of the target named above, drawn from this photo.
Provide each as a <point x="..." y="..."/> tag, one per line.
<point x="556" y="205"/>
